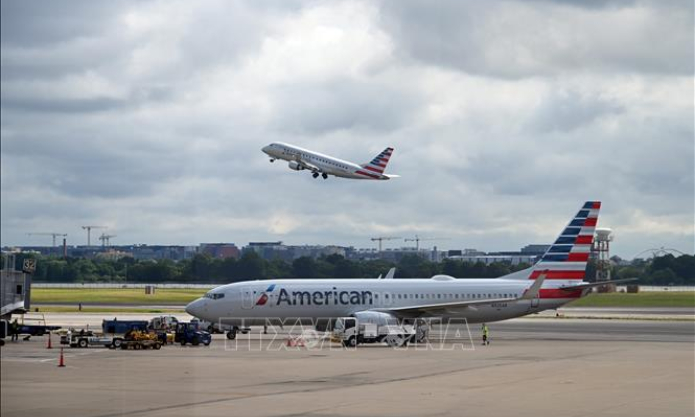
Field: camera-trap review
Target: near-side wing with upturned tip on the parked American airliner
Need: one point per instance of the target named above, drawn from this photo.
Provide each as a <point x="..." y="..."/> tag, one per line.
<point x="459" y="306"/>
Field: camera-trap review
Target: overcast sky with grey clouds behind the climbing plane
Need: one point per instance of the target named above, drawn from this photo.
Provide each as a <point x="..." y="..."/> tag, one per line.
<point x="148" y="117"/>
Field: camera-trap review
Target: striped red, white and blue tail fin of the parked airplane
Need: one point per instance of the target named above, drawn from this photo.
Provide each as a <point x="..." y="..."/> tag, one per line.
<point x="566" y="259"/>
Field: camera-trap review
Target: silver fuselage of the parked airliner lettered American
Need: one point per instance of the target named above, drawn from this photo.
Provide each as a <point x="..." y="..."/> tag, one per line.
<point x="255" y="302"/>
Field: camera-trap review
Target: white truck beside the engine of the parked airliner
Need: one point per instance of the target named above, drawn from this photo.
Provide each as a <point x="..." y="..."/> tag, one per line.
<point x="351" y="331"/>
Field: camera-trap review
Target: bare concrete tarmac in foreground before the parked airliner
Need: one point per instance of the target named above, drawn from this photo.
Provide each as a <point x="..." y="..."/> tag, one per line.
<point x="533" y="367"/>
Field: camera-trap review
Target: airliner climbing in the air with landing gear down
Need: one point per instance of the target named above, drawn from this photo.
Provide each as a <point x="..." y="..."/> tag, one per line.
<point x="319" y="164"/>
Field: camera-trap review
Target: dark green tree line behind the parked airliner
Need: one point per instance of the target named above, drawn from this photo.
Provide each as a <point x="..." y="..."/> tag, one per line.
<point x="663" y="270"/>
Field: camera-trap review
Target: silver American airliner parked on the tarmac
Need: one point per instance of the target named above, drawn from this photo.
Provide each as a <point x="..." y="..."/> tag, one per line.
<point x="556" y="279"/>
